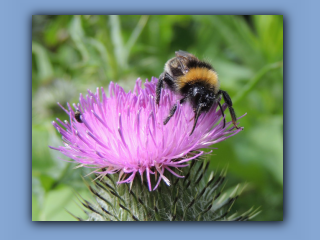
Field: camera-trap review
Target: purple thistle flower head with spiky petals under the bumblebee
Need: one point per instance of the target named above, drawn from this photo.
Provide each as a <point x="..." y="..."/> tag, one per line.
<point x="125" y="133"/>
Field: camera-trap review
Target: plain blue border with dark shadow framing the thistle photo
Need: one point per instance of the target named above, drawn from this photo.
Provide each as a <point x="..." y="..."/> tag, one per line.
<point x="301" y="162"/>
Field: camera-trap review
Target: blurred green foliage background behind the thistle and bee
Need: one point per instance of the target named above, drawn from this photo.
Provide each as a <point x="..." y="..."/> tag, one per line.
<point x="71" y="54"/>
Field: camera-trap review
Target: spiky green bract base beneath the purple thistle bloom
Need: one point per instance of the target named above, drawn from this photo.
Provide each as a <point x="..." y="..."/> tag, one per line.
<point x="197" y="197"/>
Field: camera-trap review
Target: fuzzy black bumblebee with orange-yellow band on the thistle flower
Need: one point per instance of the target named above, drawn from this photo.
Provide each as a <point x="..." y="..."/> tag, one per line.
<point x="197" y="82"/>
